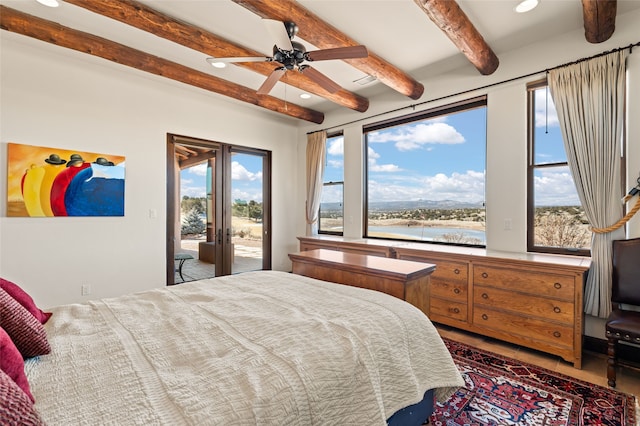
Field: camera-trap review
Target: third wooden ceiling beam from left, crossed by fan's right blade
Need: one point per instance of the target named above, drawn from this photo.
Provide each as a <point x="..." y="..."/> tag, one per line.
<point x="324" y="36"/>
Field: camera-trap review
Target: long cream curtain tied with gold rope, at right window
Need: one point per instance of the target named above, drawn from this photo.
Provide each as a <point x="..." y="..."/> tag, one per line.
<point x="589" y="98"/>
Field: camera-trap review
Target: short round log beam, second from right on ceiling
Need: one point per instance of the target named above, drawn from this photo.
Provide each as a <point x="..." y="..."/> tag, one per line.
<point x="448" y="16"/>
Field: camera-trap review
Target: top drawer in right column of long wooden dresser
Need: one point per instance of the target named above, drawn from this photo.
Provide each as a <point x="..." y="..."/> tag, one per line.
<point x="533" y="282"/>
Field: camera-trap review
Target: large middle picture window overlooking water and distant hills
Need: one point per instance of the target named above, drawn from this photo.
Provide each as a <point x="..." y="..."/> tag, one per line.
<point x="425" y="176"/>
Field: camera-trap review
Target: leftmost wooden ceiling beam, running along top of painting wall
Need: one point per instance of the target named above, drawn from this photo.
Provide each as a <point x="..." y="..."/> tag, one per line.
<point x="51" y="32"/>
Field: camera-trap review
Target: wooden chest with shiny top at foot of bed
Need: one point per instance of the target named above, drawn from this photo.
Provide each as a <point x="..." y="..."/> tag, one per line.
<point x="403" y="279"/>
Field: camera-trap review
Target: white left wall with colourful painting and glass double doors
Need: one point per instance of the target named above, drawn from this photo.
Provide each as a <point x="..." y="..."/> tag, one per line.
<point x="59" y="98"/>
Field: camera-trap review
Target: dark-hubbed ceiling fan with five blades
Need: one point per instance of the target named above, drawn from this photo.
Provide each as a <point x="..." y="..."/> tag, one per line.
<point x="291" y="55"/>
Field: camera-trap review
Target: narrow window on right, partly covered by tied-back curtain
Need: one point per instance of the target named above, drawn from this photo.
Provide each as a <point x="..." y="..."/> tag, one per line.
<point x="556" y="220"/>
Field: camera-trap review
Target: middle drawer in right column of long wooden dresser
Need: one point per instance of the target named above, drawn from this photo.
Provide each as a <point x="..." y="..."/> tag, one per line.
<point x="525" y="304"/>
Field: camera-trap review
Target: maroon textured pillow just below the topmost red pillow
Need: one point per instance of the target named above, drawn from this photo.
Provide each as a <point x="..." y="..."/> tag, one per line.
<point x="24" y="329"/>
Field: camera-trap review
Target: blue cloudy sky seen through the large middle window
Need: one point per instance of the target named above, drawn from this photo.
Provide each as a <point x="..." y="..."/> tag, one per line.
<point x="436" y="159"/>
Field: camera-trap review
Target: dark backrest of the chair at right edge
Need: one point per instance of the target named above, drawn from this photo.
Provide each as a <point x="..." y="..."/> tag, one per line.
<point x="625" y="285"/>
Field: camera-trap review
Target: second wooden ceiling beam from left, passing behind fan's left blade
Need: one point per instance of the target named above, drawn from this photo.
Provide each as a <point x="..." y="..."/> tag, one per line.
<point x="147" y="19"/>
